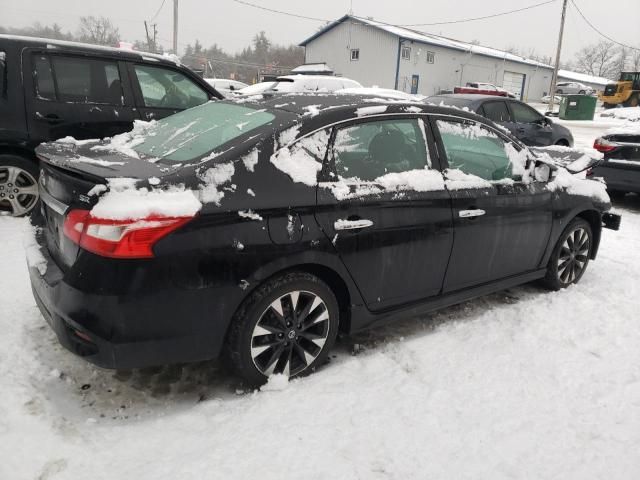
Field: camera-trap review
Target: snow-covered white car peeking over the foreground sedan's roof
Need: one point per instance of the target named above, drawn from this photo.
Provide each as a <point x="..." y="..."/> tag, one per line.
<point x="301" y="83"/>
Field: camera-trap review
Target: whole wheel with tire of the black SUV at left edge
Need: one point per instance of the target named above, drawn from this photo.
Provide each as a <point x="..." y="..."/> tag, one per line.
<point x="18" y="185"/>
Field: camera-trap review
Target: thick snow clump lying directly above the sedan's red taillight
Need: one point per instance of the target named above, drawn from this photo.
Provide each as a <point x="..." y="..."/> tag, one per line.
<point x="124" y="201"/>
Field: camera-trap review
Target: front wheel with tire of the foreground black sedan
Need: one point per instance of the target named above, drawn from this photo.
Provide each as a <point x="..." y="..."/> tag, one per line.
<point x="570" y="256"/>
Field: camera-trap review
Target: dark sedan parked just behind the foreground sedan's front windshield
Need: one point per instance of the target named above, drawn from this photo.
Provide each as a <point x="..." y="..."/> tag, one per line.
<point x="526" y="123"/>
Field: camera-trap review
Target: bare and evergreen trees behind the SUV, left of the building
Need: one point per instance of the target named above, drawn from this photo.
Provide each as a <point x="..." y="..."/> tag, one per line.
<point x="261" y="56"/>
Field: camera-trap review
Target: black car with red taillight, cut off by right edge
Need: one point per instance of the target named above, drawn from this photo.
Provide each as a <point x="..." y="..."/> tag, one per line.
<point x="621" y="165"/>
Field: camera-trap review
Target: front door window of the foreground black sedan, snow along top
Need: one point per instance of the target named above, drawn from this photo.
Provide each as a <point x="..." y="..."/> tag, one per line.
<point x="475" y="150"/>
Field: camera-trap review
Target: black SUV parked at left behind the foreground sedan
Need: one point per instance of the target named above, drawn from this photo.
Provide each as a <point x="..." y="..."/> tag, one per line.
<point x="52" y="89"/>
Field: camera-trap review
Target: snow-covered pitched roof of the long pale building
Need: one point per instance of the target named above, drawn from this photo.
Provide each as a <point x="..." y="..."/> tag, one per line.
<point x="416" y="36"/>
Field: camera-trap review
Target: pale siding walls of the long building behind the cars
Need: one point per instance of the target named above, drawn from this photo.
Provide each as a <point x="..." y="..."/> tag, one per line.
<point x="379" y="56"/>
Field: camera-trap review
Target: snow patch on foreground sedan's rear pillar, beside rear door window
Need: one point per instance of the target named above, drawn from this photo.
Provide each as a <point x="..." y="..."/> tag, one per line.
<point x="300" y="161"/>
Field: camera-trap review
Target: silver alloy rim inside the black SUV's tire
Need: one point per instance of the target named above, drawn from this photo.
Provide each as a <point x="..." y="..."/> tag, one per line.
<point x="18" y="191"/>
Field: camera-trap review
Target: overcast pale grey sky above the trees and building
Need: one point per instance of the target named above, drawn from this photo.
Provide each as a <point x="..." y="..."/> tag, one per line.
<point x="232" y="25"/>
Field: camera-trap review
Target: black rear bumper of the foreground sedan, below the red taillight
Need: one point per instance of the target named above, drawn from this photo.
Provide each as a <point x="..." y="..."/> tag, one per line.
<point x="120" y="332"/>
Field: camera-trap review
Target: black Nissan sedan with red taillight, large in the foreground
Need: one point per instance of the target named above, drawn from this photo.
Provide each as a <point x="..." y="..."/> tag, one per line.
<point x="259" y="230"/>
